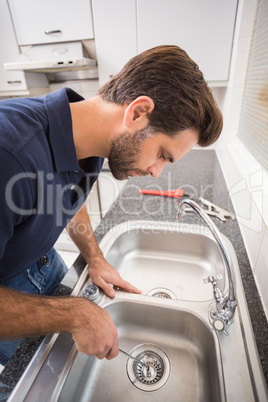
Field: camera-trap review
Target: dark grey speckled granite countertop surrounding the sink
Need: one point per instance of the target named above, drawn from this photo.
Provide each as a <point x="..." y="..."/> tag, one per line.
<point x="198" y="173"/>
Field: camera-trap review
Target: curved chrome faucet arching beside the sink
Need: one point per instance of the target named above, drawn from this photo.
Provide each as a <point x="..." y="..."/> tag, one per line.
<point x="226" y="308"/>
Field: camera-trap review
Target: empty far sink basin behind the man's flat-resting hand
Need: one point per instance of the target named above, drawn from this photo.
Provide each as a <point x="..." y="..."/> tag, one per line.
<point x="155" y="258"/>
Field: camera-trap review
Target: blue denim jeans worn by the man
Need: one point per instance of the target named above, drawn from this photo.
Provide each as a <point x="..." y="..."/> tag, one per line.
<point x="42" y="278"/>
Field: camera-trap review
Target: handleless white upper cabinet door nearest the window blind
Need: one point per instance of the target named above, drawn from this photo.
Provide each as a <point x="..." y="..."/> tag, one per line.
<point x="204" y="28"/>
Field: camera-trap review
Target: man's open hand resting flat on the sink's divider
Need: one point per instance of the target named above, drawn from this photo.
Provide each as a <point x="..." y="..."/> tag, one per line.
<point x="104" y="275"/>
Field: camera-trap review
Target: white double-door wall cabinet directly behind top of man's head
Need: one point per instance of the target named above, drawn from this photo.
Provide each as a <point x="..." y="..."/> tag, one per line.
<point x="203" y="28"/>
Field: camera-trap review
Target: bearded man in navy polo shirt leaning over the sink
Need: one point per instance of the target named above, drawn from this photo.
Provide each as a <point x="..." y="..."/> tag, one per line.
<point x="51" y="152"/>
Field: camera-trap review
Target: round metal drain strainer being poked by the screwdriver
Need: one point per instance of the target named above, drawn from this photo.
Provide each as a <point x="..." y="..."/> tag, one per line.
<point x="154" y="373"/>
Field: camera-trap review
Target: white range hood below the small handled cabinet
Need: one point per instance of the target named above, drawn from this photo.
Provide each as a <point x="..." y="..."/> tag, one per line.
<point x="54" y="59"/>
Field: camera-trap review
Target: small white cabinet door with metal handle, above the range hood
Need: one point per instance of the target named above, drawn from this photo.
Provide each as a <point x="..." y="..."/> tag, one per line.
<point x="46" y="21"/>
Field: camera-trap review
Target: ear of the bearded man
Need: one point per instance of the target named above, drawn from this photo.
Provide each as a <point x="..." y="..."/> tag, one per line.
<point x="136" y="112"/>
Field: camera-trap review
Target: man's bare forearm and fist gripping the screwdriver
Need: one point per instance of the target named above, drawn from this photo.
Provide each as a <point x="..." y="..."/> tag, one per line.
<point x="24" y="315"/>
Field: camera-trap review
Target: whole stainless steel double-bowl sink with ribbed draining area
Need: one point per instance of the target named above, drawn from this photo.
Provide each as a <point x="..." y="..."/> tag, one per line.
<point x="169" y="263"/>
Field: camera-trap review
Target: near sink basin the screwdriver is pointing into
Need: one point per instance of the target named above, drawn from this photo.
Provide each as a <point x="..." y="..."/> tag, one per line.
<point x="192" y="350"/>
